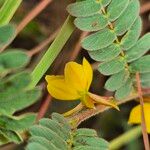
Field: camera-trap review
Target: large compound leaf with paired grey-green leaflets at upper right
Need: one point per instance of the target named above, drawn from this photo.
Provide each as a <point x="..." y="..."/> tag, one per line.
<point x="115" y="42"/>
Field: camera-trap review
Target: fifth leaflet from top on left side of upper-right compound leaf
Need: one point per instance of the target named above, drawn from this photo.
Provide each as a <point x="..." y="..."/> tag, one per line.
<point x="111" y="67"/>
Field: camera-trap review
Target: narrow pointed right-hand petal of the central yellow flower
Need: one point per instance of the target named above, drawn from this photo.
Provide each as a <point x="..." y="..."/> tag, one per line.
<point x="88" y="72"/>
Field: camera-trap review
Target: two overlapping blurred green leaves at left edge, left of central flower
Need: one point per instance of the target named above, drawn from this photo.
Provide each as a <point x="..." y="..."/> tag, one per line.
<point x="15" y="94"/>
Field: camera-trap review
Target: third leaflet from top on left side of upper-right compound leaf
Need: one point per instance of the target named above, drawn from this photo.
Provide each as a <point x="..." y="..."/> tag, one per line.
<point x="99" y="40"/>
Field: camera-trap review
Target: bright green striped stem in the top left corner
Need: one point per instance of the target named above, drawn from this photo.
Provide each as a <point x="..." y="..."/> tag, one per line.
<point x="7" y="11"/>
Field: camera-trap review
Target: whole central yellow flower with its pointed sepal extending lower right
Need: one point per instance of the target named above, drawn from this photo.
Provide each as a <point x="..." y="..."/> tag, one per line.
<point x="75" y="84"/>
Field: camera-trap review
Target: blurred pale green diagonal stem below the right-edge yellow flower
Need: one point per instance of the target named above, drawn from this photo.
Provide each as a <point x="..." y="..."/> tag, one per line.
<point x="125" y="138"/>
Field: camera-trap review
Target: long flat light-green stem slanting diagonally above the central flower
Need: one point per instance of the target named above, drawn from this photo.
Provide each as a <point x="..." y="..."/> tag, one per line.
<point x="52" y="51"/>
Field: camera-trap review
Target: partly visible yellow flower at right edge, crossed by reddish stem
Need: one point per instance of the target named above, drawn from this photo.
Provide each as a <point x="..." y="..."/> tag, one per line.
<point x="135" y="115"/>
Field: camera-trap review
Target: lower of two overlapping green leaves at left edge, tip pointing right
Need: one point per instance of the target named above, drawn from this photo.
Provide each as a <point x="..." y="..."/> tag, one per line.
<point x="11" y="102"/>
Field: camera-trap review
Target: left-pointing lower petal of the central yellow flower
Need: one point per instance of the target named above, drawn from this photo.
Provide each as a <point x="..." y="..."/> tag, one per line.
<point x="58" y="88"/>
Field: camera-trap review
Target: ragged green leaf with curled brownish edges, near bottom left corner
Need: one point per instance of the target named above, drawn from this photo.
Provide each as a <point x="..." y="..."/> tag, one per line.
<point x="11" y="127"/>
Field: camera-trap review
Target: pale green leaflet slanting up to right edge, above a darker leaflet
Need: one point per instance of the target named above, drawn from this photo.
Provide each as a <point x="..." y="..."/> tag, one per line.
<point x="139" y="49"/>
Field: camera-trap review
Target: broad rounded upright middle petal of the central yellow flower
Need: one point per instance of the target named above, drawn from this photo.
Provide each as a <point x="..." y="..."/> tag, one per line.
<point x="74" y="74"/>
